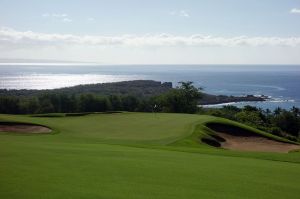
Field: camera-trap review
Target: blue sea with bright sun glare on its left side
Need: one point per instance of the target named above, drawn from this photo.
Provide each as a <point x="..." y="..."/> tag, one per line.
<point x="282" y="83"/>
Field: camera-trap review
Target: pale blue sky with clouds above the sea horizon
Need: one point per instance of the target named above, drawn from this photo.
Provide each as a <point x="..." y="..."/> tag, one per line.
<point x="151" y="32"/>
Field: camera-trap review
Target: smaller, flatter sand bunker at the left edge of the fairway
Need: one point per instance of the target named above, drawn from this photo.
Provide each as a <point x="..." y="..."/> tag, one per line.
<point x="22" y="128"/>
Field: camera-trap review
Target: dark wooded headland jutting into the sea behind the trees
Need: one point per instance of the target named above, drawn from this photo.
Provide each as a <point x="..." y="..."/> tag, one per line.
<point x="140" y="88"/>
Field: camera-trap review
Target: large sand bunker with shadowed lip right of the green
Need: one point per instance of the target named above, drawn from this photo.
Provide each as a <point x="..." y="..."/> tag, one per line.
<point x="231" y="137"/>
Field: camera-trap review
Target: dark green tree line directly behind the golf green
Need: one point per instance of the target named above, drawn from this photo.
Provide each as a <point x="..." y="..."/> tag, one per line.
<point x="182" y="99"/>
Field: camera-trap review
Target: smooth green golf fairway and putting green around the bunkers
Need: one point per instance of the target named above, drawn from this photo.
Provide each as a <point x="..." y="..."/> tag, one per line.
<point x="137" y="155"/>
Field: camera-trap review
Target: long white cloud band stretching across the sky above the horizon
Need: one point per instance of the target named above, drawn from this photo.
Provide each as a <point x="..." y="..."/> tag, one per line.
<point x="8" y="35"/>
